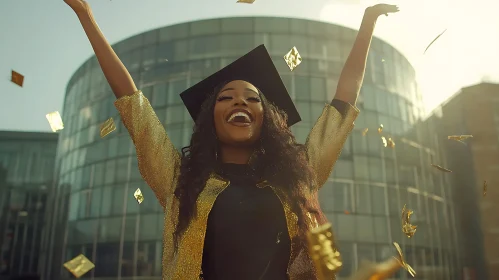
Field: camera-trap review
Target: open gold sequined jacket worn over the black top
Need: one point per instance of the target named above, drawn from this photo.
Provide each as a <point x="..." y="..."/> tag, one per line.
<point x="159" y="164"/>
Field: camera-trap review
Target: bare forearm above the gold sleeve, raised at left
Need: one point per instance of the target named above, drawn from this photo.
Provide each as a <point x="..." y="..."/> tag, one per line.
<point x="115" y="72"/>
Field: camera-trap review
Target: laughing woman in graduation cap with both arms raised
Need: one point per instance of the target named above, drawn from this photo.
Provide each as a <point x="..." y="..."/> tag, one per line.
<point x="241" y="197"/>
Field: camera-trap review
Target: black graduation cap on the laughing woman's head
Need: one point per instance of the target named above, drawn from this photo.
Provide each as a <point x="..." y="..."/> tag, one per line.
<point x="255" y="67"/>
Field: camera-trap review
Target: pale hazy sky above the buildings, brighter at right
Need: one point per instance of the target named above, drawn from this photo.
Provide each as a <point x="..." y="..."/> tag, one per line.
<point x="44" y="41"/>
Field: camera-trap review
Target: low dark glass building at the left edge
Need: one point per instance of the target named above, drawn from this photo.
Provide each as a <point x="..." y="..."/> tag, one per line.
<point x="27" y="162"/>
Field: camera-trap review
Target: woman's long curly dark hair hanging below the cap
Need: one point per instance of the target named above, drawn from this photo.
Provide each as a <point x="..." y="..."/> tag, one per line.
<point x="278" y="158"/>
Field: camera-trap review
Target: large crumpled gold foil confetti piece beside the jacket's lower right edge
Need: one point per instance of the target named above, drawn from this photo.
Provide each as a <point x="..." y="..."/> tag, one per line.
<point x="327" y="260"/>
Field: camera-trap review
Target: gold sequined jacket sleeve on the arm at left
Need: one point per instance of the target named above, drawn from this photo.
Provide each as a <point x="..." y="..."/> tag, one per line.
<point x="158" y="160"/>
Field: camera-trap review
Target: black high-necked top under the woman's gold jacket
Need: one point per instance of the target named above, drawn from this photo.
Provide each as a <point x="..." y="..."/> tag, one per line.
<point x="247" y="237"/>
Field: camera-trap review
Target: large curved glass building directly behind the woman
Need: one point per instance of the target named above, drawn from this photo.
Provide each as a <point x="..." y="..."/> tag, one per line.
<point x="366" y="191"/>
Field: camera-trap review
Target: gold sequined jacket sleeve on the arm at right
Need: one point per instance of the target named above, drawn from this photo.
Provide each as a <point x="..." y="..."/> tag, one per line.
<point x="325" y="141"/>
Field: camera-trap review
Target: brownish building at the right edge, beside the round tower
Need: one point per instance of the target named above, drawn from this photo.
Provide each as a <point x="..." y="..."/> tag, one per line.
<point x="474" y="111"/>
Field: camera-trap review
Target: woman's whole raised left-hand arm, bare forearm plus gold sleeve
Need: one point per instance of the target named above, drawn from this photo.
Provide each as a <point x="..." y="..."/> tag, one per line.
<point x="158" y="159"/>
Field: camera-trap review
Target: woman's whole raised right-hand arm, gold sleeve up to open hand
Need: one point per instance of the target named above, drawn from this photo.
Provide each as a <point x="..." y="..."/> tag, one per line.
<point x="330" y="132"/>
